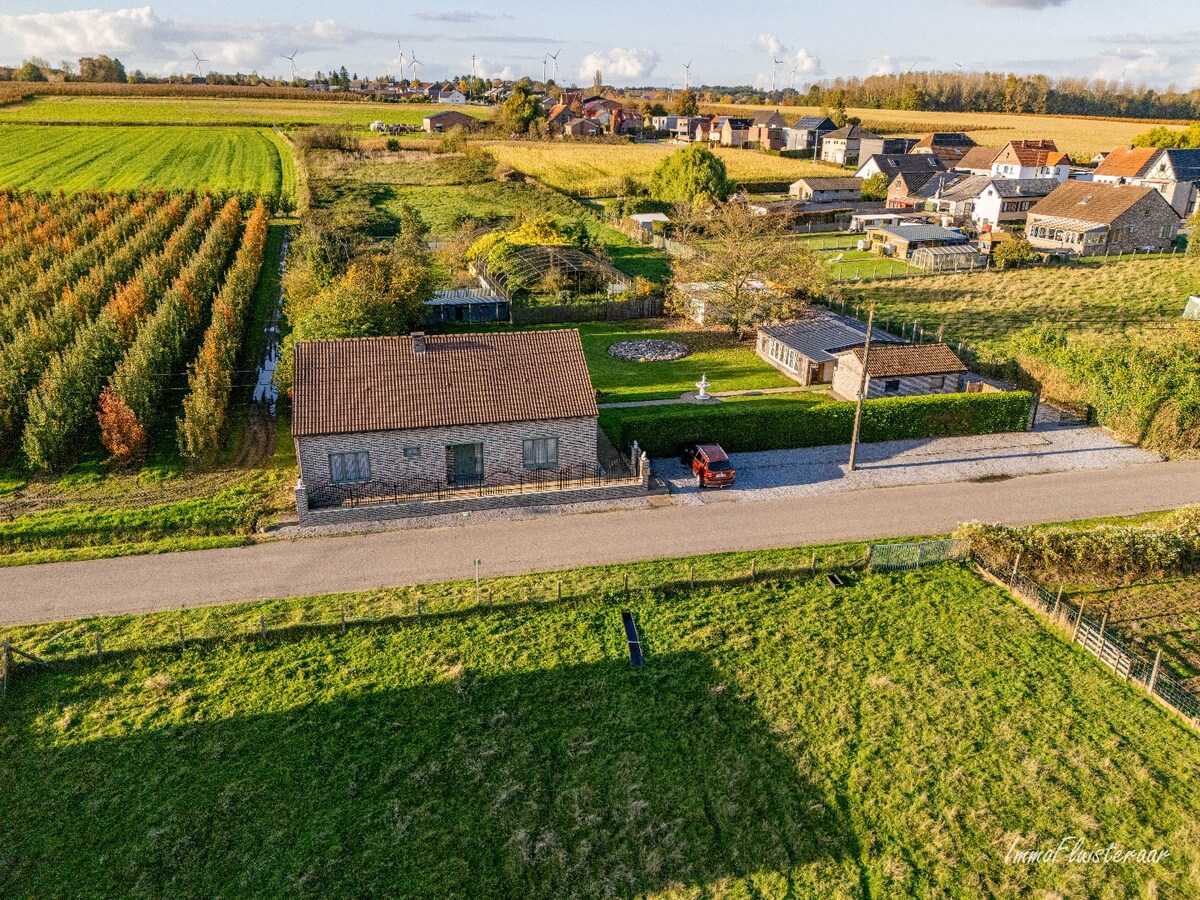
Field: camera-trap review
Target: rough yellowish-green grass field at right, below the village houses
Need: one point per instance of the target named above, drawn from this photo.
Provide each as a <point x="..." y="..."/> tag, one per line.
<point x="986" y="308"/>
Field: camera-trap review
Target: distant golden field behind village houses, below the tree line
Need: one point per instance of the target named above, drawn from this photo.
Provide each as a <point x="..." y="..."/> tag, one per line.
<point x="1078" y="136"/>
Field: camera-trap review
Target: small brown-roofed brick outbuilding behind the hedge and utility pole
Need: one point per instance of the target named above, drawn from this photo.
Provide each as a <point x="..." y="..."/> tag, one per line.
<point x="899" y="370"/>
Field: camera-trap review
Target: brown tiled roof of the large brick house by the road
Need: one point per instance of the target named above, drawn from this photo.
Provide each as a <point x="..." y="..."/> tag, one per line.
<point x="381" y="385"/>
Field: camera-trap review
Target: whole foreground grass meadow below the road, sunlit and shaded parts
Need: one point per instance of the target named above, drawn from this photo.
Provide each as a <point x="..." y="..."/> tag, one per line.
<point x="892" y="739"/>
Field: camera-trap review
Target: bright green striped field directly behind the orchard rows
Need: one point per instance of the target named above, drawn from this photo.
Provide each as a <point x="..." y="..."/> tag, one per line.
<point x="123" y="159"/>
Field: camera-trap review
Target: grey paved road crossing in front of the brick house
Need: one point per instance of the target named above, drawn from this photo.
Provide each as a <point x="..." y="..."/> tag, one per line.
<point x="314" y="566"/>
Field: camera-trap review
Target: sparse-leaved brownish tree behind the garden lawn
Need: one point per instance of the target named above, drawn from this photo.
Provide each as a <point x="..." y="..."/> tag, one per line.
<point x="745" y="269"/>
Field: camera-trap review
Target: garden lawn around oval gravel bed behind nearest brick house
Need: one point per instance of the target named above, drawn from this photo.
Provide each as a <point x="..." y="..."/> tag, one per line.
<point x="729" y="364"/>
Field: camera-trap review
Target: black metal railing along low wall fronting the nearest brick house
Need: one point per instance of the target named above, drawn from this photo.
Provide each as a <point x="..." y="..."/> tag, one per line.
<point x="493" y="484"/>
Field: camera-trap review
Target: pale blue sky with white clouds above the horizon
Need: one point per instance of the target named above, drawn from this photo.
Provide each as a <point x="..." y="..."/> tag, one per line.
<point x="632" y="43"/>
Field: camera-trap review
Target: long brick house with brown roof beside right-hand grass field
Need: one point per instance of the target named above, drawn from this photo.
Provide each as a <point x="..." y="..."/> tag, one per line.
<point x="1091" y="218"/>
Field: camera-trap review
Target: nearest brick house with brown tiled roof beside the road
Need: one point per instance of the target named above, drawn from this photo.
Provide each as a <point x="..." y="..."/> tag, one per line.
<point x="417" y="413"/>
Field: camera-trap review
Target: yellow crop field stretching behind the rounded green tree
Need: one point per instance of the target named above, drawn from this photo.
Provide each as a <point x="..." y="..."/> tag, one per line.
<point x="598" y="170"/>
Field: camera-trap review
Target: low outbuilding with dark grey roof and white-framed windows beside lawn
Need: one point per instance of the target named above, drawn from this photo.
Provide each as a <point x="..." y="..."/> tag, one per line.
<point x="807" y="350"/>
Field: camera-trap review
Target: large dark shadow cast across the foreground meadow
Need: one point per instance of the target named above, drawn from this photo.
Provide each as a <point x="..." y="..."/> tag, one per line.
<point x="580" y="781"/>
